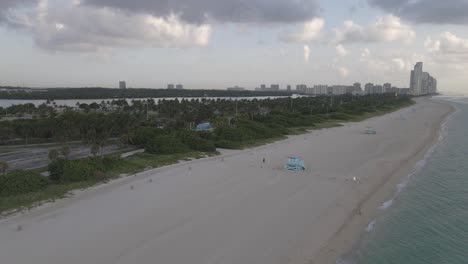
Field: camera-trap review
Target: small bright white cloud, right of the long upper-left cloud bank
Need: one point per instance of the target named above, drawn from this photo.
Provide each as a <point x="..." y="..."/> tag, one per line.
<point x="310" y="31"/>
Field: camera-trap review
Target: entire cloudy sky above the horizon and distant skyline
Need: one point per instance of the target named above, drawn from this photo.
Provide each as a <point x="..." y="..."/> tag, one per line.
<point x="214" y="44"/>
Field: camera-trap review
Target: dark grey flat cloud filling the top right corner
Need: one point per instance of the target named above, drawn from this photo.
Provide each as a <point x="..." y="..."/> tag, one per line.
<point x="426" y="11"/>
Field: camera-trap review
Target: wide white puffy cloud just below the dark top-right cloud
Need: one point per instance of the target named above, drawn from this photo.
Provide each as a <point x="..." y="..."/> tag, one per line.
<point x="385" y="29"/>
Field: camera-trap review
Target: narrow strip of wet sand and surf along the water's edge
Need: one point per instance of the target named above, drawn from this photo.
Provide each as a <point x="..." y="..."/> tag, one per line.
<point x="350" y="233"/>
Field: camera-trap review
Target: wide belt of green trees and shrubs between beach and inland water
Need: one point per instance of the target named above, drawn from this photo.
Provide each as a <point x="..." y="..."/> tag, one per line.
<point x="167" y="136"/>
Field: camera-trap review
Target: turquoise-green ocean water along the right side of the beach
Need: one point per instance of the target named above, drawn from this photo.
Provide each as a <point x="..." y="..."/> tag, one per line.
<point x="427" y="220"/>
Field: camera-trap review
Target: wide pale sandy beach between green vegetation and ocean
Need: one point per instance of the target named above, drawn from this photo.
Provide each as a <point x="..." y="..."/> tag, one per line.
<point x="234" y="209"/>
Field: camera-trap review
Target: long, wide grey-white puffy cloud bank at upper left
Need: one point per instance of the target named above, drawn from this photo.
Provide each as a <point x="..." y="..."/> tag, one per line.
<point x="82" y="28"/>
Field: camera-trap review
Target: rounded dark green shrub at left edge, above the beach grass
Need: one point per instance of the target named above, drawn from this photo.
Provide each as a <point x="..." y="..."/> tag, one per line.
<point x="21" y="182"/>
